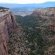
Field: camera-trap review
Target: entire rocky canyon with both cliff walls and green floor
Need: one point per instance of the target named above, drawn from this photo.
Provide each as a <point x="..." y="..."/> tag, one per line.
<point x="32" y="34"/>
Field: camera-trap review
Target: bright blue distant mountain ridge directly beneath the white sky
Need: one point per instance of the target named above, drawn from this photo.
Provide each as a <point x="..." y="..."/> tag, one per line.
<point x="42" y="5"/>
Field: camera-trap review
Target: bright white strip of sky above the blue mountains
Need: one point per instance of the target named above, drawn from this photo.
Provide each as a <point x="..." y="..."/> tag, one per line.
<point x="25" y="1"/>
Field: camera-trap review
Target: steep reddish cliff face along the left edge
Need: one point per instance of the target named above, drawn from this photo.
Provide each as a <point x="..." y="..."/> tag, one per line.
<point x="7" y="24"/>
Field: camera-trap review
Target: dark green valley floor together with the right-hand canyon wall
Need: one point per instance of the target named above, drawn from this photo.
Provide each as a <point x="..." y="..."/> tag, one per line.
<point x="39" y="29"/>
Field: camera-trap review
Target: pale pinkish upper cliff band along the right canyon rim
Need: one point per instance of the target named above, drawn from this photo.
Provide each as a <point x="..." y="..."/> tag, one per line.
<point x="45" y="11"/>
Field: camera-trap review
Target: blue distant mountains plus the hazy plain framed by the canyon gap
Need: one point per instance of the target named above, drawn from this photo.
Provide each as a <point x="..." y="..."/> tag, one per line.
<point x="25" y="9"/>
